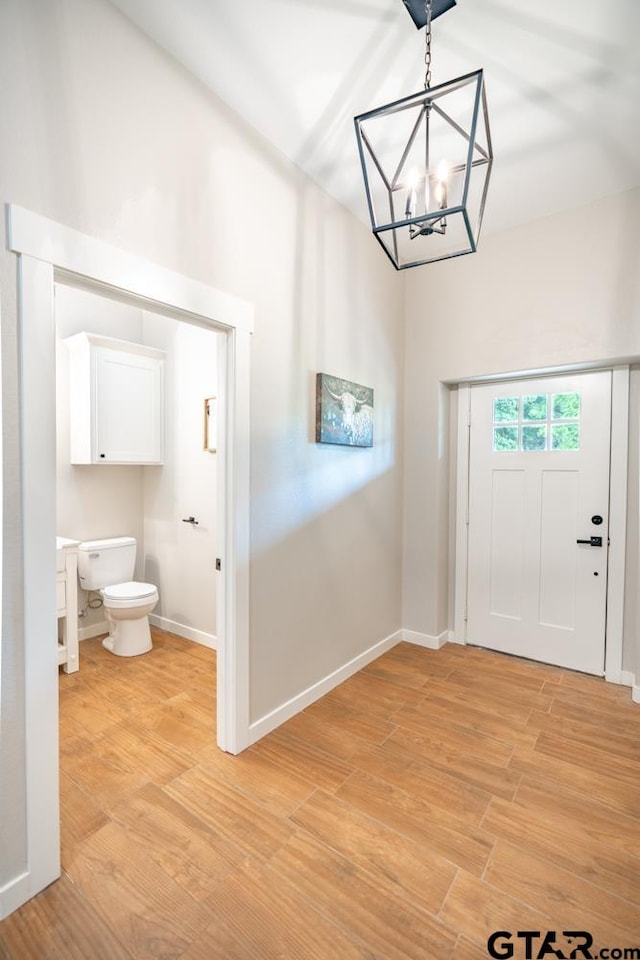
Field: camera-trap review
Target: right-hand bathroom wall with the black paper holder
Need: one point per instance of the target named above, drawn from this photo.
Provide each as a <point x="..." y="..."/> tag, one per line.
<point x="178" y="557"/>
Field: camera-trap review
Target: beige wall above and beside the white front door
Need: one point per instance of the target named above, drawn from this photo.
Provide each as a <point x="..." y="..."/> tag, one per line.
<point x="562" y="290"/>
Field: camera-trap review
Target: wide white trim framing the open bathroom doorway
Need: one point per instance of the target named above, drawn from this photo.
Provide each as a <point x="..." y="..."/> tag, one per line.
<point x="50" y="253"/>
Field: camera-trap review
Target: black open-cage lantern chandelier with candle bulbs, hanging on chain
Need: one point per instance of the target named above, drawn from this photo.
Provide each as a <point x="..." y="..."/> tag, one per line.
<point x="426" y="161"/>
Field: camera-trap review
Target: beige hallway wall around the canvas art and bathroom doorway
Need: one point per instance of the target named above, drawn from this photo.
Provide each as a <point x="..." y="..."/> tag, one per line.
<point x="130" y="149"/>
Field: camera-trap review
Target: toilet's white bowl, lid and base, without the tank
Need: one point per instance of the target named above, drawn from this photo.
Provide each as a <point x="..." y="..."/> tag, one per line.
<point x="127" y="606"/>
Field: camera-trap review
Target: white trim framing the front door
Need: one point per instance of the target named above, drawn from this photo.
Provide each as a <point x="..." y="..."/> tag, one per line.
<point x="617" y="504"/>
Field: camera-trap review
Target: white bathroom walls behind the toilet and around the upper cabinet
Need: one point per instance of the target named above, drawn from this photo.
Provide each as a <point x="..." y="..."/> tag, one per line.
<point x="148" y="503"/>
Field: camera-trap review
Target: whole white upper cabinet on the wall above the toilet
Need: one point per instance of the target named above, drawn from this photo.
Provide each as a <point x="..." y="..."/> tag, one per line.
<point x="116" y="401"/>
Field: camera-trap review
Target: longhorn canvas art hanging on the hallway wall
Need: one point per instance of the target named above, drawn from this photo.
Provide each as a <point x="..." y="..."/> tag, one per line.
<point x="344" y="412"/>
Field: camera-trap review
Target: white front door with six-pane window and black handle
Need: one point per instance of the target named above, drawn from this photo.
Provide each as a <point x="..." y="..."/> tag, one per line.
<point x="538" y="518"/>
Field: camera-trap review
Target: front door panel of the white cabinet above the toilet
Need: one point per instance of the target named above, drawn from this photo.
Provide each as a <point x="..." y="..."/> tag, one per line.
<point x="127" y="407"/>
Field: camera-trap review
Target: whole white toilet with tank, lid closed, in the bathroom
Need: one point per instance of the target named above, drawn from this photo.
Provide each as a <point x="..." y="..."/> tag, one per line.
<point x="107" y="567"/>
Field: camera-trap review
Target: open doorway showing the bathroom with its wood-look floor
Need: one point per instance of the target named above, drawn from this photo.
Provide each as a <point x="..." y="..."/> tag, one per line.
<point x="134" y="464"/>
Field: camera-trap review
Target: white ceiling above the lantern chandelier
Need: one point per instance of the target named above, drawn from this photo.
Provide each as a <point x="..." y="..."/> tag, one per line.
<point x="562" y="77"/>
